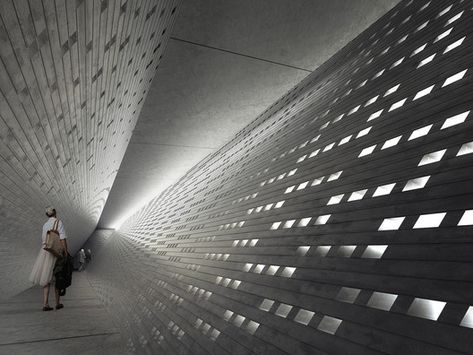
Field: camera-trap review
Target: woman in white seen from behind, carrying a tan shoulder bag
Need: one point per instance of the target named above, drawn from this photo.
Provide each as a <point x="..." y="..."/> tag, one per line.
<point x="42" y="273"/>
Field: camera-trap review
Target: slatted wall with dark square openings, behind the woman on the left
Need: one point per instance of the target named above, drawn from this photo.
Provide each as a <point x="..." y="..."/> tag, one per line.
<point x="73" y="77"/>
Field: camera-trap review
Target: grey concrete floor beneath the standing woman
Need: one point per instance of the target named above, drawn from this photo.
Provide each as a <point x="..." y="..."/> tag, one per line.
<point x="83" y="326"/>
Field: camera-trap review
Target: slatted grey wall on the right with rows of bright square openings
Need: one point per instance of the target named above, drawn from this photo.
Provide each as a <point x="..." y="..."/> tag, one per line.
<point x="339" y="222"/>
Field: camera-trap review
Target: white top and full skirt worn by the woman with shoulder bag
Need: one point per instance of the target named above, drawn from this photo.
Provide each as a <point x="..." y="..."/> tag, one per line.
<point x="42" y="272"/>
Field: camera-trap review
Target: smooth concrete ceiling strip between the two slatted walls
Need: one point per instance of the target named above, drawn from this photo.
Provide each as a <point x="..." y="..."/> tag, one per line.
<point x="226" y="62"/>
